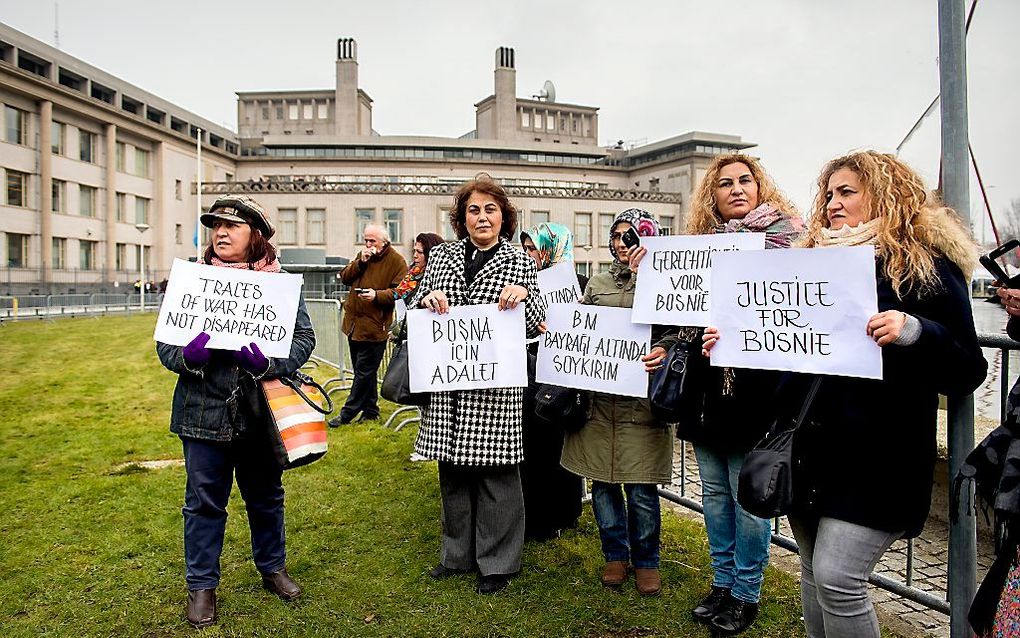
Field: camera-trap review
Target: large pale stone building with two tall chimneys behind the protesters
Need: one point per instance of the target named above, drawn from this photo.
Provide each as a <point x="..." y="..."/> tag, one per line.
<point x="87" y="158"/>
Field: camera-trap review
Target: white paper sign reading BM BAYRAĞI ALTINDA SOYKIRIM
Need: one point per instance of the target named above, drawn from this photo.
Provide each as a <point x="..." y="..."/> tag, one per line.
<point x="594" y="349"/>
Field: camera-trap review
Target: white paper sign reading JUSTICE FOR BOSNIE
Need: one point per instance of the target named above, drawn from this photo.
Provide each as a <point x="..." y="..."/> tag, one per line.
<point x="799" y="310"/>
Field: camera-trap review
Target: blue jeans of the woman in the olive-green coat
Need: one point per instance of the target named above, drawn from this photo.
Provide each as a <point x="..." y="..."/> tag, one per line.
<point x="629" y="532"/>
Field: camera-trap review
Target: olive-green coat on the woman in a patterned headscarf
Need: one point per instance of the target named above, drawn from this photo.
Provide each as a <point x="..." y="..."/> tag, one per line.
<point x="623" y="441"/>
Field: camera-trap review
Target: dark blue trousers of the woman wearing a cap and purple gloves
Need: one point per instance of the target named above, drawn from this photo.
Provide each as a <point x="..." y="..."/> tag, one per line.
<point x="211" y="467"/>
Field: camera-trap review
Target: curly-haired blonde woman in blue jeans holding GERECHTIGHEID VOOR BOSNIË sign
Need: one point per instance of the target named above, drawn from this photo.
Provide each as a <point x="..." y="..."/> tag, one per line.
<point x="726" y="417"/>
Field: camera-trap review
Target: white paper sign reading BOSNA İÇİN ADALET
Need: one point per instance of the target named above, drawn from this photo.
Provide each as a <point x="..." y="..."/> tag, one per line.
<point x="469" y="349"/>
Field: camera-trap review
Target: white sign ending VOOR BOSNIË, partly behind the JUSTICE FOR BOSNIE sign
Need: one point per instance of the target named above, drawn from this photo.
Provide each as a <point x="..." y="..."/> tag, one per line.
<point x="674" y="281"/>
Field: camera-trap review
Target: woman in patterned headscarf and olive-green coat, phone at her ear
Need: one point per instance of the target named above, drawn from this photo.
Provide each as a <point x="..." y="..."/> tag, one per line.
<point x="624" y="449"/>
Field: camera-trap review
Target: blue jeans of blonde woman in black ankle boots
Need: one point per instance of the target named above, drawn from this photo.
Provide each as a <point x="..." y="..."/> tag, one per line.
<point x="738" y="542"/>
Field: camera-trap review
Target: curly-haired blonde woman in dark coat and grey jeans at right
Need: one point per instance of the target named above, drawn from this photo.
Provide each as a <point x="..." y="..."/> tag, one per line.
<point x="869" y="453"/>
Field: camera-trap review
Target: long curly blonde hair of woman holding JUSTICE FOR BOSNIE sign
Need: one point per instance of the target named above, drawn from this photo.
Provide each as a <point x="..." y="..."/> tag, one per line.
<point x="914" y="227"/>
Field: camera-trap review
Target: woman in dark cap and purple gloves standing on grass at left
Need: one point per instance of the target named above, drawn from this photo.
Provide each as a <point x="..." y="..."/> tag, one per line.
<point x="220" y="444"/>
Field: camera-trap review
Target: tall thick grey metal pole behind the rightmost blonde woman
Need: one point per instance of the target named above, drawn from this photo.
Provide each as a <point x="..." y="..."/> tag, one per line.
<point x="956" y="181"/>
